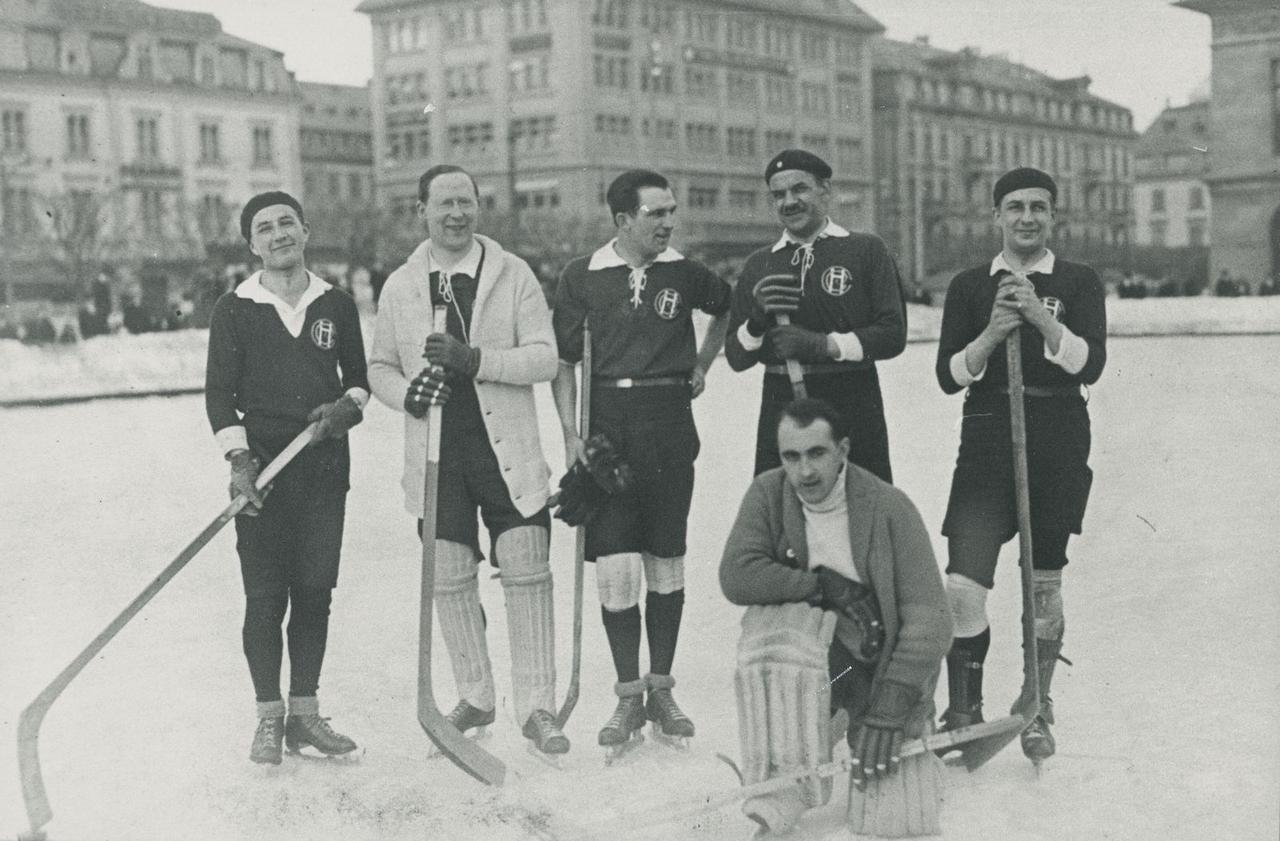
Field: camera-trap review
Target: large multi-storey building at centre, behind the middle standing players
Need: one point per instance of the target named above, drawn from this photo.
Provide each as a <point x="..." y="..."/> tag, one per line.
<point x="547" y="100"/>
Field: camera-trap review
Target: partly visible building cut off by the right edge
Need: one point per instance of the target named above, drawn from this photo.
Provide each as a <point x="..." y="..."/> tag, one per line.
<point x="1245" y="136"/>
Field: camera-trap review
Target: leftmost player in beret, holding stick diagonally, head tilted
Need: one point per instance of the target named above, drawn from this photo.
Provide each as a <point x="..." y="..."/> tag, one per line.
<point x="285" y="349"/>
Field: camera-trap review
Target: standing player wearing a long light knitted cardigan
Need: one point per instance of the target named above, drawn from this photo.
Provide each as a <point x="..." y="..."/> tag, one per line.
<point x="483" y="368"/>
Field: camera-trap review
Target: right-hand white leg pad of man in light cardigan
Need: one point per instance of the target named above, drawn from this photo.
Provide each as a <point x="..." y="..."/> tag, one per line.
<point x="527" y="583"/>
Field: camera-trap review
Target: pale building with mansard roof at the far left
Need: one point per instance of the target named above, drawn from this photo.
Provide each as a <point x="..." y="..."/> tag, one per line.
<point x="130" y="136"/>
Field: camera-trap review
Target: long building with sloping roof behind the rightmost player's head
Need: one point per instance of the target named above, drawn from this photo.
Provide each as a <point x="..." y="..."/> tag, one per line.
<point x="949" y="124"/>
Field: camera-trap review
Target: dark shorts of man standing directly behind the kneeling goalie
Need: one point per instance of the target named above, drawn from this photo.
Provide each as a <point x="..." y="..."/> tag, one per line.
<point x="856" y="395"/>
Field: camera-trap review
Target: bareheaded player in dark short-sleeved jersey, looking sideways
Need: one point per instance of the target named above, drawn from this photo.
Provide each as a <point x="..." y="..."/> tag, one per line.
<point x="638" y="296"/>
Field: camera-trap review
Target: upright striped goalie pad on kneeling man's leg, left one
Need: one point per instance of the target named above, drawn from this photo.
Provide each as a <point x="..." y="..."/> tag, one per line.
<point x="784" y="694"/>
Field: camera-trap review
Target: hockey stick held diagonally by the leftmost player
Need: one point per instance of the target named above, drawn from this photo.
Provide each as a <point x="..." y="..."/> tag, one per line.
<point x="39" y="811"/>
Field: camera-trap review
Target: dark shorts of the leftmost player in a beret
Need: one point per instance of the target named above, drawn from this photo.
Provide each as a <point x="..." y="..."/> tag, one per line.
<point x="298" y="537"/>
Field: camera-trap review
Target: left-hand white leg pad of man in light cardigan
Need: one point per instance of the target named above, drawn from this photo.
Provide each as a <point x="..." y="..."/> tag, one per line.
<point x="458" y="607"/>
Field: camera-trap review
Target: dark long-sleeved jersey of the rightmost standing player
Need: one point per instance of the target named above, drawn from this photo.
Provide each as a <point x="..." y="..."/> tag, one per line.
<point x="1081" y="304"/>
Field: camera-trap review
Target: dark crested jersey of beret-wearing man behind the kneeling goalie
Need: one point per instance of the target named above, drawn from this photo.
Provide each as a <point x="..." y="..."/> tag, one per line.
<point x="852" y="287"/>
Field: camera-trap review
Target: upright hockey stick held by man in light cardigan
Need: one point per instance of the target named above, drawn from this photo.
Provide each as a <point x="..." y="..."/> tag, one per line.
<point x="461" y="751"/>
